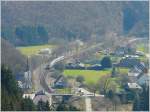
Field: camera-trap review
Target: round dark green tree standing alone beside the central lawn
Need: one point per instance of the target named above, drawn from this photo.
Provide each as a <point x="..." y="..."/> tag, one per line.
<point x="106" y="62"/>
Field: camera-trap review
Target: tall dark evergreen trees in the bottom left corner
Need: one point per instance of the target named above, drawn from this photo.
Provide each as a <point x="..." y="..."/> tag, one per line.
<point x="11" y="94"/>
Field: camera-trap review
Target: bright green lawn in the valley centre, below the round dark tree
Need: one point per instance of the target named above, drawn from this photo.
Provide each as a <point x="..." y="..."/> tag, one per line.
<point x="90" y="76"/>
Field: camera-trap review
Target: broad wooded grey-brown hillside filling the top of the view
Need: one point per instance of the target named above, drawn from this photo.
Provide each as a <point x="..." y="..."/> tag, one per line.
<point x="26" y="23"/>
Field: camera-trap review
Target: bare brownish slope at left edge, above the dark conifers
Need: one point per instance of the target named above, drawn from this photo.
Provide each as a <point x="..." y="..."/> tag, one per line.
<point x="12" y="57"/>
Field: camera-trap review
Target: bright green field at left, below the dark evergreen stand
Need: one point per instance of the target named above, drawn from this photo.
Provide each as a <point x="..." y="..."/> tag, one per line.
<point x="31" y="50"/>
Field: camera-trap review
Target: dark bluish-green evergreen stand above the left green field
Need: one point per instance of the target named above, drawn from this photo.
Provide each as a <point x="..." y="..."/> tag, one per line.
<point x="26" y="35"/>
